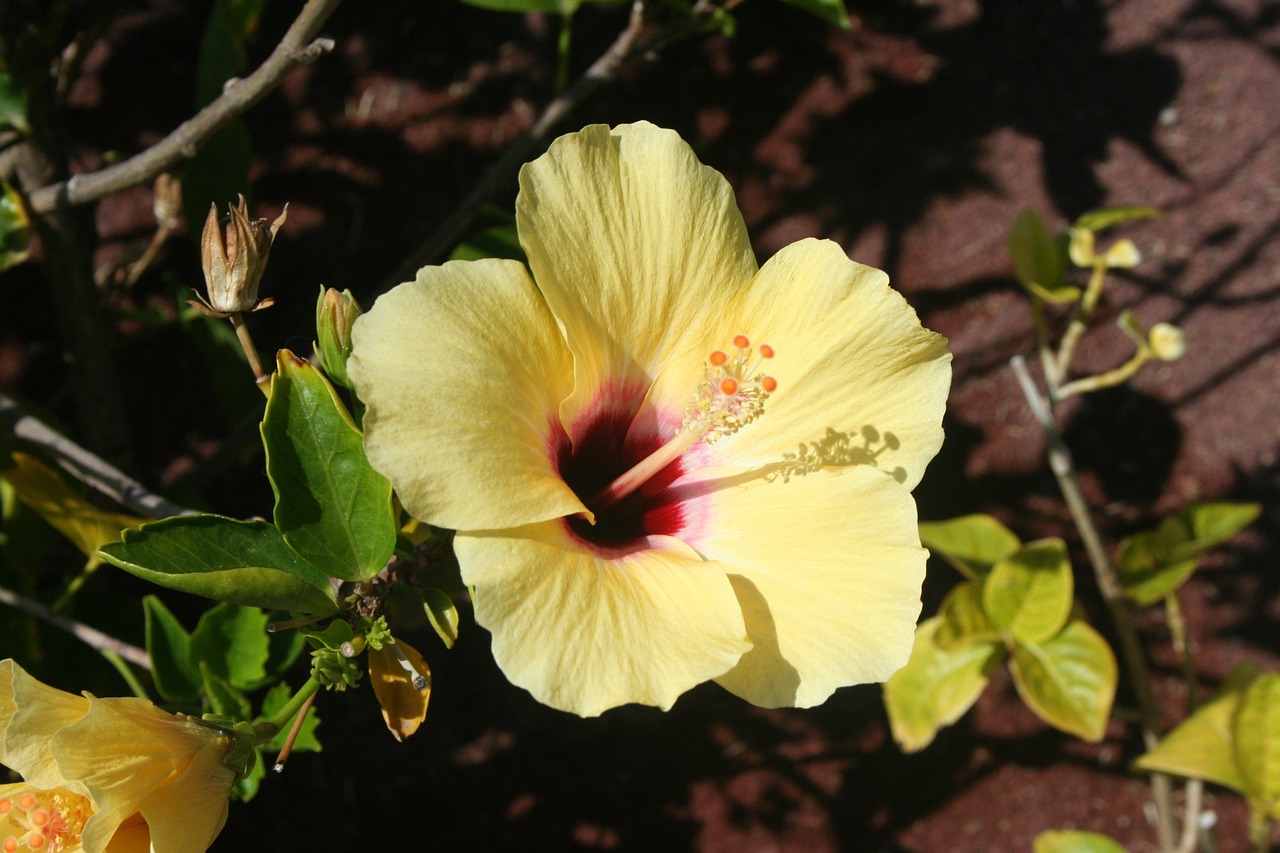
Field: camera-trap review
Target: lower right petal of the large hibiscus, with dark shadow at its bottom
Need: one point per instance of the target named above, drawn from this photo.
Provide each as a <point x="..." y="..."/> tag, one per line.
<point x="828" y="568"/>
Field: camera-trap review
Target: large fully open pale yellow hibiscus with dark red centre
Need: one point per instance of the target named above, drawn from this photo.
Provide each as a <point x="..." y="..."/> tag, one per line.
<point x="665" y="464"/>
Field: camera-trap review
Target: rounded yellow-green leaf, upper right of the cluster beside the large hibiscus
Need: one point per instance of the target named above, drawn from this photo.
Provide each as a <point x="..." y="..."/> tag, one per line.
<point x="1030" y="592"/>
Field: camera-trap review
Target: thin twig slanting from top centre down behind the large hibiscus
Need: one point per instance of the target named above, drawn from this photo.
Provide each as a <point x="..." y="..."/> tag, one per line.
<point x="627" y="51"/>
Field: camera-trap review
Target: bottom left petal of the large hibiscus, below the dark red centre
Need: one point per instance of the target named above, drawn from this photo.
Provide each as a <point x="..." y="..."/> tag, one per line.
<point x="586" y="633"/>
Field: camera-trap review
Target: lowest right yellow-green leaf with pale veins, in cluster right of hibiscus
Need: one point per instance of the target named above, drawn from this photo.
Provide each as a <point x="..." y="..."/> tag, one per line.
<point x="1068" y="682"/>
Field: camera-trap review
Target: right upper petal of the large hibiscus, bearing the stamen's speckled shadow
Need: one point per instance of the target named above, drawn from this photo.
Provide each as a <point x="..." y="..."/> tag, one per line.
<point x="860" y="380"/>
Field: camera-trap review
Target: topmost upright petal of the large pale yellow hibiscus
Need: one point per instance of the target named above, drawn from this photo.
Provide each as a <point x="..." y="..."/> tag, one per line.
<point x="634" y="244"/>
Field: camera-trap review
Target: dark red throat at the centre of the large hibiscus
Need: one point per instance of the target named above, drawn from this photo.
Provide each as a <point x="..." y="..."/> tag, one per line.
<point x="601" y="455"/>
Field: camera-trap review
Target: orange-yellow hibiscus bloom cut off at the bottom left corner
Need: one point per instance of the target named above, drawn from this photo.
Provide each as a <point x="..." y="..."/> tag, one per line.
<point x="115" y="776"/>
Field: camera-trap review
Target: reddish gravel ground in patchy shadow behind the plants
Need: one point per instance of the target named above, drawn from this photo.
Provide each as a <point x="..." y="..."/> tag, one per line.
<point x="915" y="142"/>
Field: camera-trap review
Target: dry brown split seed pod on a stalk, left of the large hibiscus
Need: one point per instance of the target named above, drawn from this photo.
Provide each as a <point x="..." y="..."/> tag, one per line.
<point x="234" y="256"/>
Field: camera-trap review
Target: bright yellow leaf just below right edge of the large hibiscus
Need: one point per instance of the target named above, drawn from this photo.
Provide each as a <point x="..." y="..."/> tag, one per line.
<point x="936" y="687"/>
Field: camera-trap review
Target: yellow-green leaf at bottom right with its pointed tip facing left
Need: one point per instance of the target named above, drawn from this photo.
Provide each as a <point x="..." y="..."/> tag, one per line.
<point x="1204" y="746"/>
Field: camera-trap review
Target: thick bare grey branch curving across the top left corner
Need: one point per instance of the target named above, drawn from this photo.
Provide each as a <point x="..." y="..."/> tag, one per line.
<point x="296" y="48"/>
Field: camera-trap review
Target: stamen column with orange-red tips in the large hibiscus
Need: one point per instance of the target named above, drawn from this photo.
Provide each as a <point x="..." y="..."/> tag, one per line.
<point x="730" y="396"/>
